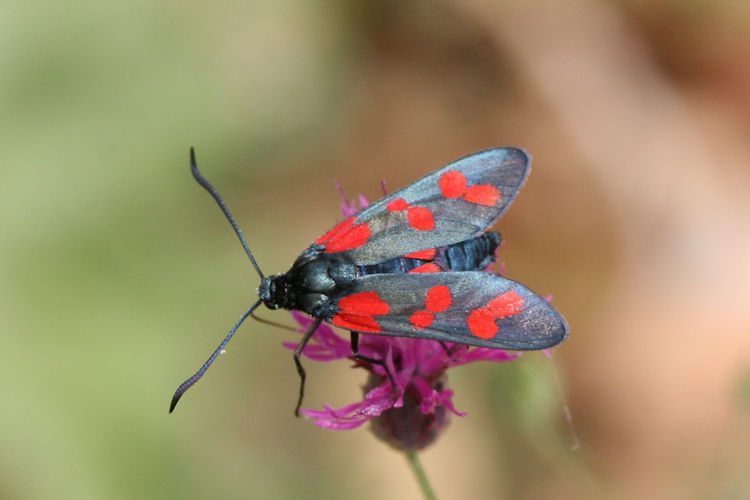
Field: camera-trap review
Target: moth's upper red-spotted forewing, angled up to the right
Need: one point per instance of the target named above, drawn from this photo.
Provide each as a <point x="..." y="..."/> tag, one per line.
<point x="450" y="205"/>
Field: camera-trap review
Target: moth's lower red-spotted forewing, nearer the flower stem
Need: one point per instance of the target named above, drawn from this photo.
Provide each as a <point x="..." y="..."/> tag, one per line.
<point x="474" y="308"/>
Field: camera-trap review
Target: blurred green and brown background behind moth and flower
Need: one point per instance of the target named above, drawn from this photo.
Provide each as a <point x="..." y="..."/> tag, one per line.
<point x="118" y="275"/>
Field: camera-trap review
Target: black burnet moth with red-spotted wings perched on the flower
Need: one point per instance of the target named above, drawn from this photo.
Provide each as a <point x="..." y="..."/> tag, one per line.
<point x="413" y="265"/>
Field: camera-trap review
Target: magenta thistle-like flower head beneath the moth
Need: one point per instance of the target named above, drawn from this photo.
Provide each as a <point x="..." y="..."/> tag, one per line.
<point x="410" y="412"/>
